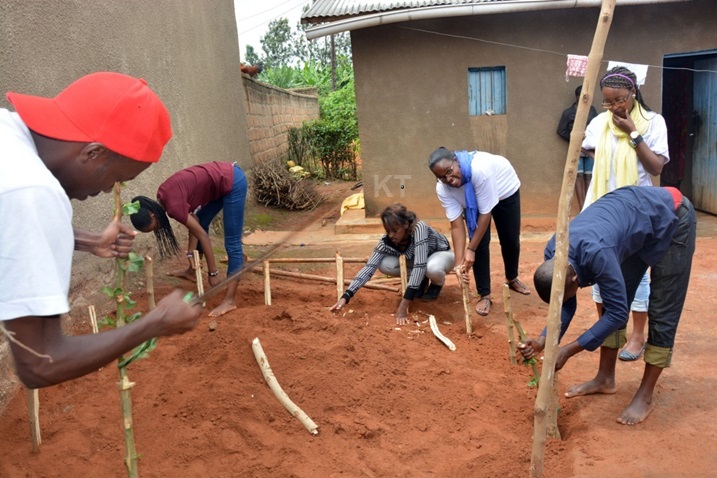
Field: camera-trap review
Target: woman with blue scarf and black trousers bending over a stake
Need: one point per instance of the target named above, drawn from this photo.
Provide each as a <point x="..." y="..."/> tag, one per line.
<point x="479" y="186"/>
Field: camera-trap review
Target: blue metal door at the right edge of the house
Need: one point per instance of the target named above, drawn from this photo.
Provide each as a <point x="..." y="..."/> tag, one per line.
<point x="704" y="163"/>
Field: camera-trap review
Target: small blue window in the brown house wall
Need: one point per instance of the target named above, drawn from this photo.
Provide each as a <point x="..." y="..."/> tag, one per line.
<point x="486" y="91"/>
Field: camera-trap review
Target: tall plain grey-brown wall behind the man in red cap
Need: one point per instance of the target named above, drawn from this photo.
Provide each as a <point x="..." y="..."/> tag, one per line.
<point x="186" y="50"/>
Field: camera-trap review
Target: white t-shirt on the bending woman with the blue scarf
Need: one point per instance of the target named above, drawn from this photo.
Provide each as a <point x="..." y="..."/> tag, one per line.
<point x="493" y="178"/>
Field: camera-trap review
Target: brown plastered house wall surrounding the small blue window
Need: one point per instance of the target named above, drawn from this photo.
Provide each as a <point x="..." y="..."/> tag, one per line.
<point x="412" y="95"/>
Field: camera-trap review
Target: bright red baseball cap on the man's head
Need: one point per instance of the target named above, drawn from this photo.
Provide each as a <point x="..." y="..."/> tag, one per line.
<point x="116" y="110"/>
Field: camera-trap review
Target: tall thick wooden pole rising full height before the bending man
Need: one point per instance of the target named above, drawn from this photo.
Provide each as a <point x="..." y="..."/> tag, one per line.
<point x="544" y="399"/>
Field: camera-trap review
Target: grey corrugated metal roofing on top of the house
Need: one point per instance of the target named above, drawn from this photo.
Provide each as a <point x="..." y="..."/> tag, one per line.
<point x="329" y="10"/>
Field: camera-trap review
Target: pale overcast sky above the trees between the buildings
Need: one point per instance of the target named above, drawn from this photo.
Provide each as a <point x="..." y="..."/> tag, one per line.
<point x="253" y="18"/>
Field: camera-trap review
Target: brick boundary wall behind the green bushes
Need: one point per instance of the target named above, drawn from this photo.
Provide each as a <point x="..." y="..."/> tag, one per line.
<point x="270" y="112"/>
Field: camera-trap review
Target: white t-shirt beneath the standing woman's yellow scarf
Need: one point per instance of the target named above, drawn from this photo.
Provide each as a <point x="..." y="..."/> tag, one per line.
<point x="655" y="138"/>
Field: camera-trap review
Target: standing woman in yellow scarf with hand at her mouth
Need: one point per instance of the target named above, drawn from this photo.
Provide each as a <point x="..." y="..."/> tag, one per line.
<point x="629" y="143"/>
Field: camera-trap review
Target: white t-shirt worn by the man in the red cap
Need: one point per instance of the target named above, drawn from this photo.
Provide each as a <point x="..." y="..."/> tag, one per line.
<point x="36" y="235"/>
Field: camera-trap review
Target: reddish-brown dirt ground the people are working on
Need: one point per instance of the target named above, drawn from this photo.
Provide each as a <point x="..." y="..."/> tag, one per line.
<point x="389" y="401"/>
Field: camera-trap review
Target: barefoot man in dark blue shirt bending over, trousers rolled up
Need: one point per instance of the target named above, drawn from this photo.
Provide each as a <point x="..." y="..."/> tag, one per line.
<point x="612" y="243"/>
